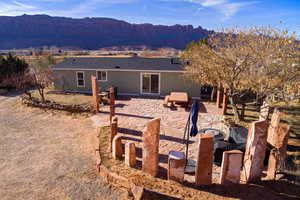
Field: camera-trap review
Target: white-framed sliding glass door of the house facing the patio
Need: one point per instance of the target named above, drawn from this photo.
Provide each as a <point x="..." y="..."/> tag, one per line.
<point x="150" y="83"/>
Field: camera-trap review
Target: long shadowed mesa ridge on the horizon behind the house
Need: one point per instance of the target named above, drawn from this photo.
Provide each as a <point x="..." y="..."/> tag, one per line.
<point x="91" y="33"/>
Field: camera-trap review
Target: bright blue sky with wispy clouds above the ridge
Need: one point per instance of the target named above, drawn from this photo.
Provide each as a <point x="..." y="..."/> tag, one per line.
<point x="211" y="14"/>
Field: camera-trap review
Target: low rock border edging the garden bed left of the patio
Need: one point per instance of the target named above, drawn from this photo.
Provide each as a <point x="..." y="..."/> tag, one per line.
<point x="34" y="102"/>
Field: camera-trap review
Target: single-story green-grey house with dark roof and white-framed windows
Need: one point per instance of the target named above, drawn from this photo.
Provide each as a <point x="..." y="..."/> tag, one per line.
<point x="131" y="76"/>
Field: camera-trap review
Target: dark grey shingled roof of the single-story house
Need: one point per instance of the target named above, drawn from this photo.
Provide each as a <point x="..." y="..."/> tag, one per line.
<point x="120" y="64"/>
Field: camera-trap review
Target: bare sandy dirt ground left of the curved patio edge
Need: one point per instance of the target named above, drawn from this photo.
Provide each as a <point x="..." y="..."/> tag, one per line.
<point x="47" y="156"/>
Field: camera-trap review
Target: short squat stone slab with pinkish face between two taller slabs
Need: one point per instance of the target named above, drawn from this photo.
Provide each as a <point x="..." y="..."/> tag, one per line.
<point x="231" y="167"/>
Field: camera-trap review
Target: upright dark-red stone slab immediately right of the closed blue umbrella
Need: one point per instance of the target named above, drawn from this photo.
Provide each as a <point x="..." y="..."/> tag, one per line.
<point x="204" y="164"/>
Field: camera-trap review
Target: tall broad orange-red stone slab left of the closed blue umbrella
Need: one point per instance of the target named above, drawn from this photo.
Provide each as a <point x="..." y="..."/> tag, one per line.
<point x="151" y="147"/>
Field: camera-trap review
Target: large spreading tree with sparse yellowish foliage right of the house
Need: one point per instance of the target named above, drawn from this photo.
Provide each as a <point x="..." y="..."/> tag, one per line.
<point x="265" y="60"/>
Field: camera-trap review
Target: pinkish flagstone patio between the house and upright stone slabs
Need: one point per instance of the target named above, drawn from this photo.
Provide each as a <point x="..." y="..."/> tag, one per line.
<point x="133" y="113"/>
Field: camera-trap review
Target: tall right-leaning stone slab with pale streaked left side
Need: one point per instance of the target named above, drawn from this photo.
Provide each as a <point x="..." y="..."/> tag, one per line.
<point x="255" y="151"/>
